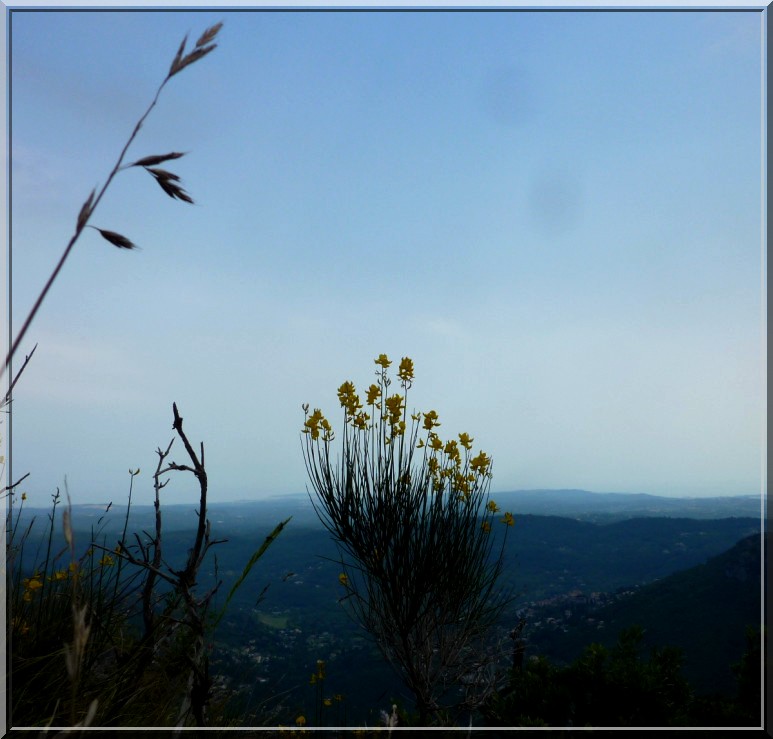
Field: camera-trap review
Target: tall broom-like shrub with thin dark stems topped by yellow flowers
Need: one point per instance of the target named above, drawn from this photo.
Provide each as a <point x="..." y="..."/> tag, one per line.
<point x="411" y="515"/>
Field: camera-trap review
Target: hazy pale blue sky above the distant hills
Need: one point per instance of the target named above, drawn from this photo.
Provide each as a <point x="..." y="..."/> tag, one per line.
<point x="556" y="215"/>
